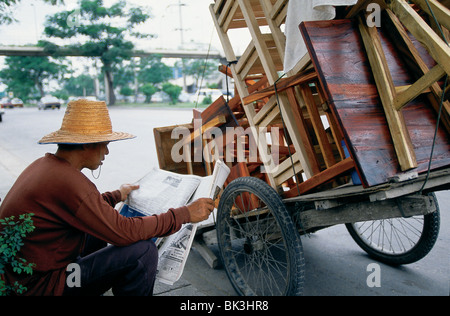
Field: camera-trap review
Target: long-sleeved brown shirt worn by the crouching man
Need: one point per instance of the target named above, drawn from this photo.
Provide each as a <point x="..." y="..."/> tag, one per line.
<point x="67" y="206"/>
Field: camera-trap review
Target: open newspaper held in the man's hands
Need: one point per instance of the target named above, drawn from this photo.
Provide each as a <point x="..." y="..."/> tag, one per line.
<point x="161" y="190"/>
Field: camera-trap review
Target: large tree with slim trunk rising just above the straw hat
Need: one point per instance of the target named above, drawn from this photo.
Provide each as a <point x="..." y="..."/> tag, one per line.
<point x="104" y="30"/>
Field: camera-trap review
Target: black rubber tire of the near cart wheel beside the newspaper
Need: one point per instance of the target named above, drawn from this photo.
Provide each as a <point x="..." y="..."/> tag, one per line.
<point x="290" y="236"/>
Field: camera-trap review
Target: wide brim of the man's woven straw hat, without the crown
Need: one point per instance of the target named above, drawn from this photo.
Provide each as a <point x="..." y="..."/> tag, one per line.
<point x="62" y="137"/>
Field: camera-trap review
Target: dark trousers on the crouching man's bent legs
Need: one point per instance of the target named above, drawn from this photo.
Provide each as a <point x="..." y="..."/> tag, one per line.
<point x="127" y="270"/>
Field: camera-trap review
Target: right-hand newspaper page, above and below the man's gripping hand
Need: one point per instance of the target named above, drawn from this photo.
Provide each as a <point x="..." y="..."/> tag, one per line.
<point x="175" y="249"/>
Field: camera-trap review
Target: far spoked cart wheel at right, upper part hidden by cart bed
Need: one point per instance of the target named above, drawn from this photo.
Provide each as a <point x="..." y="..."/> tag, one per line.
<point x="398" y="241"/>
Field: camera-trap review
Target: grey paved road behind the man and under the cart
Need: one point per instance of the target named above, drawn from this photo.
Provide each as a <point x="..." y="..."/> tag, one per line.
<point x="335" y="265"/>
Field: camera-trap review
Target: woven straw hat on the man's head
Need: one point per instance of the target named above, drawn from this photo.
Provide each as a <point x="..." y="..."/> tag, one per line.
<point x="85" y="122"/>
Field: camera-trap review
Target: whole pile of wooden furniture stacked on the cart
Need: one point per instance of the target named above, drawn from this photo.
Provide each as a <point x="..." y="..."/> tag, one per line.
<point x="361" y="105"/>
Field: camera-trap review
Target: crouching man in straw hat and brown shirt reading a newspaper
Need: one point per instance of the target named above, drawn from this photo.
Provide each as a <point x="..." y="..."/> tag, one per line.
<point x="74" y="222"/>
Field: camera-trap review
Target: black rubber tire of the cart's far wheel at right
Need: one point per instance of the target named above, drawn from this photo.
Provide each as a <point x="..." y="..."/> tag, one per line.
<point x="424" y="245"/>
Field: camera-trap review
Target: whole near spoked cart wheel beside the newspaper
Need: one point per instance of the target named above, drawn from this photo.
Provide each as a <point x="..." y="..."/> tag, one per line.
<point x="259" y="245"/>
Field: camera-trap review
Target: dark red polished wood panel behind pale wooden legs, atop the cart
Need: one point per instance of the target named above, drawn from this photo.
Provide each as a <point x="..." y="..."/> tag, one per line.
<point x="339" y="57"/>
